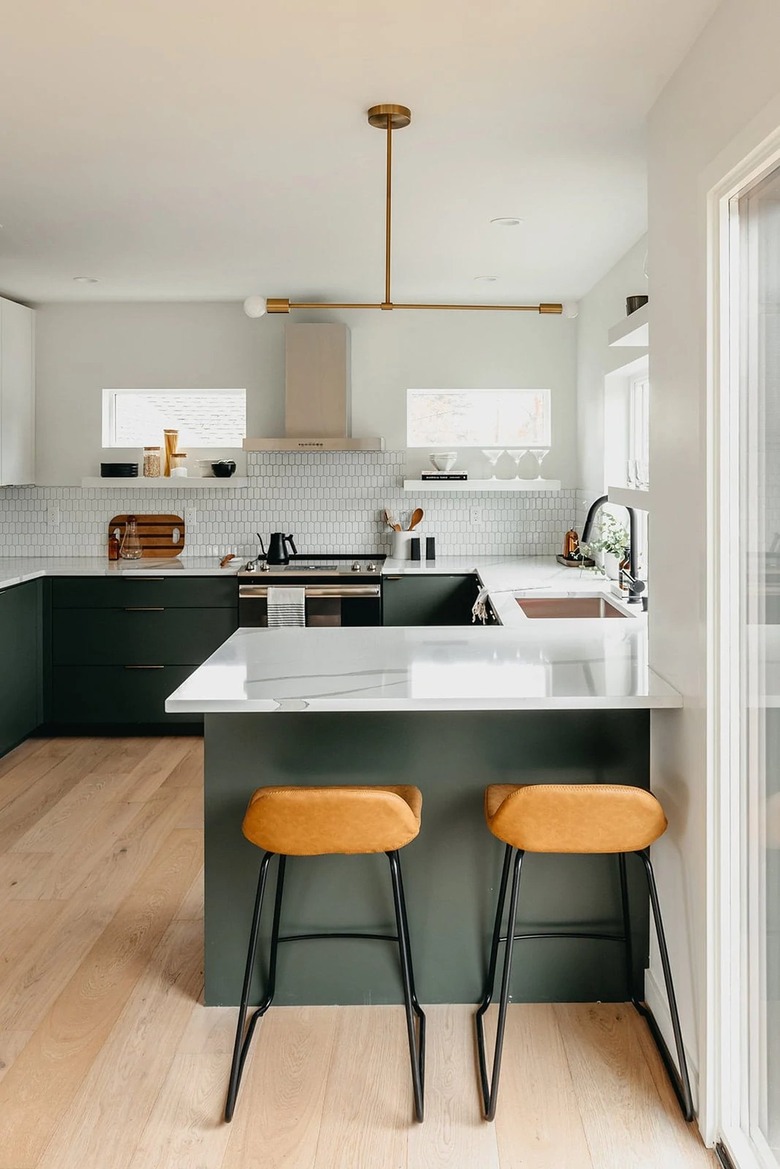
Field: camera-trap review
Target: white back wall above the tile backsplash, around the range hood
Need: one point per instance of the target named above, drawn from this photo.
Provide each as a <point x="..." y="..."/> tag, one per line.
<point x="84" y="349"/>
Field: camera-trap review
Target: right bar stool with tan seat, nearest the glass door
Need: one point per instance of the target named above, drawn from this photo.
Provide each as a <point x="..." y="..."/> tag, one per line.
<point x="583" y="819"/>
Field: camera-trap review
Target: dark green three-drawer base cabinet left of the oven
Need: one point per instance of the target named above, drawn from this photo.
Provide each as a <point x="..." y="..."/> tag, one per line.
<point x="118" y="647"/>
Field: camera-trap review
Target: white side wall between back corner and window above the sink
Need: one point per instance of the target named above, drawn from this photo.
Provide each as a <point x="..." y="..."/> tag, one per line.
<point x="603" y="308"/>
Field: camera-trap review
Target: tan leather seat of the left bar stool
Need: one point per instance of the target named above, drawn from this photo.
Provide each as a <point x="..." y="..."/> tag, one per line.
<point x="313" y="821"/>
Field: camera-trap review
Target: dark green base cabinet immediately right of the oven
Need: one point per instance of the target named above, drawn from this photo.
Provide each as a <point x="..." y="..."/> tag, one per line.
<point x="430" y="600"/>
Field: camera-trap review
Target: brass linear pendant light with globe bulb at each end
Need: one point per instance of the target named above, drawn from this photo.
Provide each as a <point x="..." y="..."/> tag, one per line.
<point x="390" y="119"/>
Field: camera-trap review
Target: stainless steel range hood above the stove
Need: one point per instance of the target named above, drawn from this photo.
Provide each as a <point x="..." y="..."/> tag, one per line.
<point x="316" y="393"/>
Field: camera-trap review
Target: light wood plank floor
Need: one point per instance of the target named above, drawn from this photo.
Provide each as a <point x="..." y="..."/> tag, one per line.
<point x="109" y="1062"/>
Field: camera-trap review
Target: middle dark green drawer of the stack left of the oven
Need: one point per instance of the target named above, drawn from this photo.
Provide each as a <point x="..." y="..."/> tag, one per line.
<point x="142" y="635"/>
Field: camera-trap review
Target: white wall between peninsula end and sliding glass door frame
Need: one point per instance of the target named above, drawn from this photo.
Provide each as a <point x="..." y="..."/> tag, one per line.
<point x="702" y="124"/>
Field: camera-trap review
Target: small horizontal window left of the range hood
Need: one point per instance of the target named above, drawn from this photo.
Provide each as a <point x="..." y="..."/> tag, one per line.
<point x="204" y="418"/>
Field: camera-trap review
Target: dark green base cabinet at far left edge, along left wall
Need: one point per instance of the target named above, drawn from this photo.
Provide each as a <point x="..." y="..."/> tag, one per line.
<point x="20" y="663"/>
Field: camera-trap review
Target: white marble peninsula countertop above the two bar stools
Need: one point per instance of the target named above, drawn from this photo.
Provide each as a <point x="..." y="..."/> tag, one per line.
<point x="543" y="666"/>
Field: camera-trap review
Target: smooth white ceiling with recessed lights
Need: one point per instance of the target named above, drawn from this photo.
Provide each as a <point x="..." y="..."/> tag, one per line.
<point x="210" y="149"/>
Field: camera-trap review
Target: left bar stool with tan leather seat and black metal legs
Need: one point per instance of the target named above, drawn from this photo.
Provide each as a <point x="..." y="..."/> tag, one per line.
<point x="326" y="821"/>
